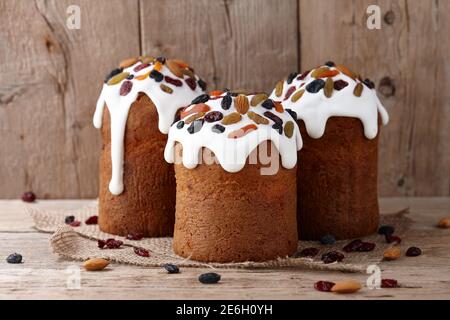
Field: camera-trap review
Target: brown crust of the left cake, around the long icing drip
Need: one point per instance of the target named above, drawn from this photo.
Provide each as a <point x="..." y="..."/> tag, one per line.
<point x="147" y="204"/>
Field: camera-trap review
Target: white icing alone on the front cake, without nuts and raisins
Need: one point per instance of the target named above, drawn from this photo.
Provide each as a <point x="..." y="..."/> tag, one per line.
<point x="233" y="153"/>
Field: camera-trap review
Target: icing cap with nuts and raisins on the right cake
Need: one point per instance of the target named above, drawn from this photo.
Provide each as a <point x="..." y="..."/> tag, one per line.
<point x="327" y="91"/>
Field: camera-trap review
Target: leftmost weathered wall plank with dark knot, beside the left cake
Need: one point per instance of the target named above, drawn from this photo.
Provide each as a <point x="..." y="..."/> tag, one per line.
<point x="50" y="80"/>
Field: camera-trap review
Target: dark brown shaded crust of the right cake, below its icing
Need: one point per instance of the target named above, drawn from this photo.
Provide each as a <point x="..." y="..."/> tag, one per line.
<point x="337" y="182"/>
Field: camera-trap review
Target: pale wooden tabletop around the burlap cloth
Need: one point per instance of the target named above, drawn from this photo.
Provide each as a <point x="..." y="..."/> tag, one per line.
<point x="45" y="276"/>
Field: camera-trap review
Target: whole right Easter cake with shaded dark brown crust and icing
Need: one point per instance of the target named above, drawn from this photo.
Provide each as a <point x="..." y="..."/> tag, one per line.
<point x="339" y="116"/>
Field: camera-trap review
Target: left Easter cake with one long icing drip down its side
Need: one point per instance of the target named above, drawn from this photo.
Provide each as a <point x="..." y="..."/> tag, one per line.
<point x="136" y="107"/>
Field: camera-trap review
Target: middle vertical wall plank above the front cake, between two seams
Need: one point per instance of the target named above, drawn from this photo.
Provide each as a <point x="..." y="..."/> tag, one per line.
<point x="245" y="44"/>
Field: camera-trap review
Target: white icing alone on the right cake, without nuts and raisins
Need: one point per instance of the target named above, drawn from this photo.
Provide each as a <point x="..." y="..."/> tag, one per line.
<point x="315" y="108"/>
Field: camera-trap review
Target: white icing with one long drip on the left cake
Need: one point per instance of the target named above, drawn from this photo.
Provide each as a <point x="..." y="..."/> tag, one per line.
<point x="166" y="105"/>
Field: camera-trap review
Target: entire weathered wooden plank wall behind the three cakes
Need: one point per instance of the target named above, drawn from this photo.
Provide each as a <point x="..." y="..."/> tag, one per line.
<point x="51" y="76"/>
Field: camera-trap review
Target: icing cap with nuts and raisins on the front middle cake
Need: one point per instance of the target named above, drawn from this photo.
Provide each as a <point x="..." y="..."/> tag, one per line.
<point x="216" y="119"/>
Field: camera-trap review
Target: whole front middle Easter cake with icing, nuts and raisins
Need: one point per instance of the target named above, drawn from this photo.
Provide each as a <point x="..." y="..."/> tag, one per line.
<point x="231" y="203"/>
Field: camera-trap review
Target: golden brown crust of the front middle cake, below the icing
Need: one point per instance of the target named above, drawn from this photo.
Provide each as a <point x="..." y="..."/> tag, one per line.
<point x="224" y="217"/>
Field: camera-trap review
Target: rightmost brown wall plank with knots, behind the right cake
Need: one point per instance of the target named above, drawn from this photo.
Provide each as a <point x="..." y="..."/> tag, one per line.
<point x="412" y="51"/>
